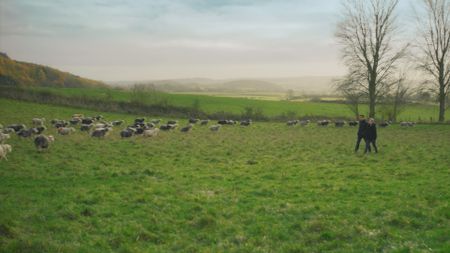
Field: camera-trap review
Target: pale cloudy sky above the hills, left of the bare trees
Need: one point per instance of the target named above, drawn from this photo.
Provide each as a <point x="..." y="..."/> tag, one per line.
<point x="121" y="40"/>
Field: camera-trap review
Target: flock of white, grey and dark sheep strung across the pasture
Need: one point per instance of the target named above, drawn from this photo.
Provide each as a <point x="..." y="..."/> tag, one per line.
<point x="97" y="127"/>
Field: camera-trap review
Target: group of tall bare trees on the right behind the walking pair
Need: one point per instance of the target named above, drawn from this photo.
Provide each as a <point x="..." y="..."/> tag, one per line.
<point x="368" y="33"/>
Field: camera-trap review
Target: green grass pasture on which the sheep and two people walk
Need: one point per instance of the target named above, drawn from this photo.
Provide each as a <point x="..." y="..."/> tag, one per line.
<point x="266" y="188"/>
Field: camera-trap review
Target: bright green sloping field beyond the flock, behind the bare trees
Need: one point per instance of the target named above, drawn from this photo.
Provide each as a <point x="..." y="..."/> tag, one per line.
<point x="214" y="104"/>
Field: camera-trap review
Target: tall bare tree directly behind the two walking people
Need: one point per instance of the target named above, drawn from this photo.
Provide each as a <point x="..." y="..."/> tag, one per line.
<point x="367" y="32"/>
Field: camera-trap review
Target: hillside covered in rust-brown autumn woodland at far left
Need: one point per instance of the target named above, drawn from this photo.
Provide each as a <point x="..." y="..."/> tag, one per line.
<point x="25" y="74"/>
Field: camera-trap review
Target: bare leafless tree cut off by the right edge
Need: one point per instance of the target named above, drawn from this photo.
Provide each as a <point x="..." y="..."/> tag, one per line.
<point x="434" y="44"/>
